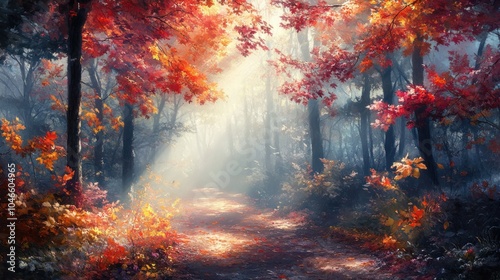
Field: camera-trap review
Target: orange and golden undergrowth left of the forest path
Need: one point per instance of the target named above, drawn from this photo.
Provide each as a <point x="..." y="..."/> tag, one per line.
<point x="104" y="240"/>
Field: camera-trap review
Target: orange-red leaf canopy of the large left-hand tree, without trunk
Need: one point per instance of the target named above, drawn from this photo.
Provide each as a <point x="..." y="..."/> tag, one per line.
<point x="165" y="48"/>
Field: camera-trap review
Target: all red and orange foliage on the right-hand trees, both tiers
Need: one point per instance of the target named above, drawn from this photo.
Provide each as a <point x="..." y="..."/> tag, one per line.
<point x="372" y="33"/>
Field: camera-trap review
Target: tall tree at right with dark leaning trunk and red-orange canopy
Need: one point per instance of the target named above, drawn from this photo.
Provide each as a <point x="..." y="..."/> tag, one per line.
<point x="382" y="27"/>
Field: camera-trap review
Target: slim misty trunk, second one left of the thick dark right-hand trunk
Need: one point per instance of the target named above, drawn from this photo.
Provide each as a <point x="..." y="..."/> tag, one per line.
<point x="364" y="119"/>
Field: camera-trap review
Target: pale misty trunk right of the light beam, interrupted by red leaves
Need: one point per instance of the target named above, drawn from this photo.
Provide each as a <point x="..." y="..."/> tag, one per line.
<point x="313" y="113"/>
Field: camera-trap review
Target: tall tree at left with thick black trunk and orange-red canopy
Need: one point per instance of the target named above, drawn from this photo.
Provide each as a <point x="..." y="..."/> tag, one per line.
<point x="138" y="29"/>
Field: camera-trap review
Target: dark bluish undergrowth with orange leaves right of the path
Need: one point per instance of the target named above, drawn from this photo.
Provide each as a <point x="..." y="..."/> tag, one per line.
<point x="434" y="235"/>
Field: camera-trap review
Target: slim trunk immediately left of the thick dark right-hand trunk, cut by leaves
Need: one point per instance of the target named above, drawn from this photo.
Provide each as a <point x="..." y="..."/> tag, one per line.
<point x="389" y="140"/>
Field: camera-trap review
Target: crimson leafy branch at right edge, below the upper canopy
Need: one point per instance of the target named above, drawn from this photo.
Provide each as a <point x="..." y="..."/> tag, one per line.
<point x="460" y="93"/>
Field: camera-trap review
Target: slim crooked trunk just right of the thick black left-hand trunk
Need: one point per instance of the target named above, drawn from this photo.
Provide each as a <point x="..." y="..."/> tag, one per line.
<point x="99" y="136"/>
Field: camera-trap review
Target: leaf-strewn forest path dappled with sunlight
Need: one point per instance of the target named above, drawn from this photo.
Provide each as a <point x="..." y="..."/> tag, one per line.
<point x="229" y="237"/>
